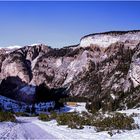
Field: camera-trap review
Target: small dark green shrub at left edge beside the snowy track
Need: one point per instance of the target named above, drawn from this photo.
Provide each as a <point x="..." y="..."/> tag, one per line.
<point x="7" y="116"/>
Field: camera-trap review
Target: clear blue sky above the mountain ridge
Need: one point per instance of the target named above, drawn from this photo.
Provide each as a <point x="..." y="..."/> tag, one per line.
<point x="60" y="24"/>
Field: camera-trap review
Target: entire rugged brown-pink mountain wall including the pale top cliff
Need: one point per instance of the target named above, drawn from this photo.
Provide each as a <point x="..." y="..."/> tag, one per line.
<point x="104" y="66"/>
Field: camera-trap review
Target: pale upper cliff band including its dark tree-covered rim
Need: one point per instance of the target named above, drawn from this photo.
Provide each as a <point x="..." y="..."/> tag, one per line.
<point x="106" y="39"/>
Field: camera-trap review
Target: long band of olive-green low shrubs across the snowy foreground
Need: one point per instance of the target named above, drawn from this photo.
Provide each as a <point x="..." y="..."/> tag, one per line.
<point x="75" y="120"/>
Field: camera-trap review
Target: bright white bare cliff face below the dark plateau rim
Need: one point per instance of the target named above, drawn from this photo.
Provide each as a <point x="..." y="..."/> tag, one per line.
<point x="105" y="40"/>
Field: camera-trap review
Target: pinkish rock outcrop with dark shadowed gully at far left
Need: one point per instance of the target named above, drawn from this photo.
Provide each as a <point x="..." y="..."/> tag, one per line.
<point x="21" y="62"/>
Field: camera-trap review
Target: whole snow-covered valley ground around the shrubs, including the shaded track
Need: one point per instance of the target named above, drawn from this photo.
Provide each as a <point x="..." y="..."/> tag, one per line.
<point x="32" y="128"/>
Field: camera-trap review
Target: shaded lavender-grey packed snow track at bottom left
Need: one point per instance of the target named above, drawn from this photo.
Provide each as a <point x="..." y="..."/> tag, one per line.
<point x="23" y="129"/>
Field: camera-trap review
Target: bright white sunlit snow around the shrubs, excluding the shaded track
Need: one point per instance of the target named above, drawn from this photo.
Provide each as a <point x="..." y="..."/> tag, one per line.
<point x="63" y="132"/>
